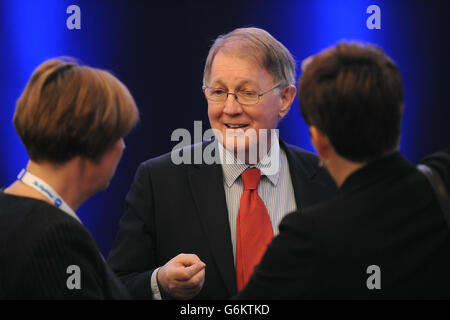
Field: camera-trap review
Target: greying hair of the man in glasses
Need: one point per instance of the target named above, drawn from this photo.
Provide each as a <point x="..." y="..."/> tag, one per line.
<point x="271" y="53"/>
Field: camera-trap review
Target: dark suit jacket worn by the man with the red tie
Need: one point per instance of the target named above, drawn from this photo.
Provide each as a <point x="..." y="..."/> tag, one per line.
<point x="173" y="209"/>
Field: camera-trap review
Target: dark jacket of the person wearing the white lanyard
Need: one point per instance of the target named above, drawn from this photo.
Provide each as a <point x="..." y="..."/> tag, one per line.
<point x="38" y="242"/>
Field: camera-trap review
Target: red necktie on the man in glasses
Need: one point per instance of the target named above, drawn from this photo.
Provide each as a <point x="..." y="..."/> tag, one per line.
<point x="254" y="229"/>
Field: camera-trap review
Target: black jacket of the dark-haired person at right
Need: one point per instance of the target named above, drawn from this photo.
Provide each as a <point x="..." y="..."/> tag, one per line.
<point x="385" y="214"/>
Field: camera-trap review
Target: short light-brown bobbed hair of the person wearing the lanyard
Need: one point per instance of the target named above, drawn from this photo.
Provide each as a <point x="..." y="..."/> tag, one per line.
<point x="68" y="110"/>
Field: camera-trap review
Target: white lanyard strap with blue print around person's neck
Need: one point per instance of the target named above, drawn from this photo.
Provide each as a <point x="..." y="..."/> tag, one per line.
<point x="41" y="186"/>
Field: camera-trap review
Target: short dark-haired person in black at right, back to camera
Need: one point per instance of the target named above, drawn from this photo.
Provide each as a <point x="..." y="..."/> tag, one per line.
<point x="384" y="235"/>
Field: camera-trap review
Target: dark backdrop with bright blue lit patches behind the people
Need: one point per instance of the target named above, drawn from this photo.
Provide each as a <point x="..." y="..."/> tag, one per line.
<point x="158" y="50"/>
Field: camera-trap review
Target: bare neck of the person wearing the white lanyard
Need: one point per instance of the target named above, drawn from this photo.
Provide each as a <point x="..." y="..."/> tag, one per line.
<point x="65" y="179"/>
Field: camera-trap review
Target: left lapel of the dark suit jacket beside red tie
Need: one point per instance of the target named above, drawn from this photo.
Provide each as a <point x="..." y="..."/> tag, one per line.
<point x="206" y="182"/>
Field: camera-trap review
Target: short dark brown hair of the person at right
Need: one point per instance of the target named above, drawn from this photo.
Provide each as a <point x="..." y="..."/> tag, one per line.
<point x="353" y="93"/>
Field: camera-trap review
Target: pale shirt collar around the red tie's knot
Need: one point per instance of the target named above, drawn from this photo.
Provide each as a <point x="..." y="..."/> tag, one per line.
<point x="233" y="170"/>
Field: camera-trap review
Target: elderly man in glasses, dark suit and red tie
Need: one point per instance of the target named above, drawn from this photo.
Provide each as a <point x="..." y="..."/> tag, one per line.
<point x="198" y="230"/>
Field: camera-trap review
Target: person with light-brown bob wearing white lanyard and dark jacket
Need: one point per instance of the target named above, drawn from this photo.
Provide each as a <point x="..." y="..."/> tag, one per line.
<point x="72" y="120"/>
